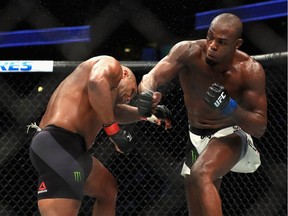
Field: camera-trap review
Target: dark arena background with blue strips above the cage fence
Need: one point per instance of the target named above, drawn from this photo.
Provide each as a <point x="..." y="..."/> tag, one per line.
<point x="129" y="29"/>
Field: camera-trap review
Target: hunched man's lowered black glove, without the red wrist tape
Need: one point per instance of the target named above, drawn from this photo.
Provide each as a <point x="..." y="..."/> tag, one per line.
<point x="122" y="140"/>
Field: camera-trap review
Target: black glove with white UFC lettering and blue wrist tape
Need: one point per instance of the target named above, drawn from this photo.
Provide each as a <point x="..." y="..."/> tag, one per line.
<point x="218" y="98"/>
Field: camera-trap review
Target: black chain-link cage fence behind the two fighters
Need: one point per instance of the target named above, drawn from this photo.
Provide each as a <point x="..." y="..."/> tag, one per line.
<point x="149" y="176"/>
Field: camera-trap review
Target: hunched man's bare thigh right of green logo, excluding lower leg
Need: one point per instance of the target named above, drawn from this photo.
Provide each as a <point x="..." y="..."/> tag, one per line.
<point x="100" y="182"/>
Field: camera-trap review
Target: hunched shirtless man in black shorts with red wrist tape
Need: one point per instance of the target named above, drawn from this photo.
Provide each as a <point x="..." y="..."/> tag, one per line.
<point x="94" y="96"/>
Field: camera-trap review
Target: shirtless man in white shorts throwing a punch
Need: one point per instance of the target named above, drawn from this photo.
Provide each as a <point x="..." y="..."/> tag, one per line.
<point x="224" y="93"/>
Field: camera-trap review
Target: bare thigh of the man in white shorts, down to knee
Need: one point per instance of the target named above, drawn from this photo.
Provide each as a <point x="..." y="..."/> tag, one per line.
<point x="220" y="155"/>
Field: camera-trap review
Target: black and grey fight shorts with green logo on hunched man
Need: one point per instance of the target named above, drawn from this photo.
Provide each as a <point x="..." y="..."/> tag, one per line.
<point x="62" y="163"/>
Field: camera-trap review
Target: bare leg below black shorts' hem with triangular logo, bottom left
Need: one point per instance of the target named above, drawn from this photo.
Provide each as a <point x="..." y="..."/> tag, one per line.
<point x="59" y="207"/>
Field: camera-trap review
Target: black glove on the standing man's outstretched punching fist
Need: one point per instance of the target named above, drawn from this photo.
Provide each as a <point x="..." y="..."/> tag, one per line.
<point x="144" y="103"/>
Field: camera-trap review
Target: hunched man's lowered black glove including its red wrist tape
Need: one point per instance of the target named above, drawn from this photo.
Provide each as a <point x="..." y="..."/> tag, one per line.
<point x="119" y="137"/>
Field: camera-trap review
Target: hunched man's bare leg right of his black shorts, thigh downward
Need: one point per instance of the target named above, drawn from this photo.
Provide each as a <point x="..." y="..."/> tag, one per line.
<point x="102" y="185"/>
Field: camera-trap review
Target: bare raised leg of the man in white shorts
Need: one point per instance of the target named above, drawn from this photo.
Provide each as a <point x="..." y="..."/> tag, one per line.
<point x="220" y="155"/>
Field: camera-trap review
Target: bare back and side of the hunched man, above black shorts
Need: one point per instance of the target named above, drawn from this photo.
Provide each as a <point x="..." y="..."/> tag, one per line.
<point x="69" y="105"/>
